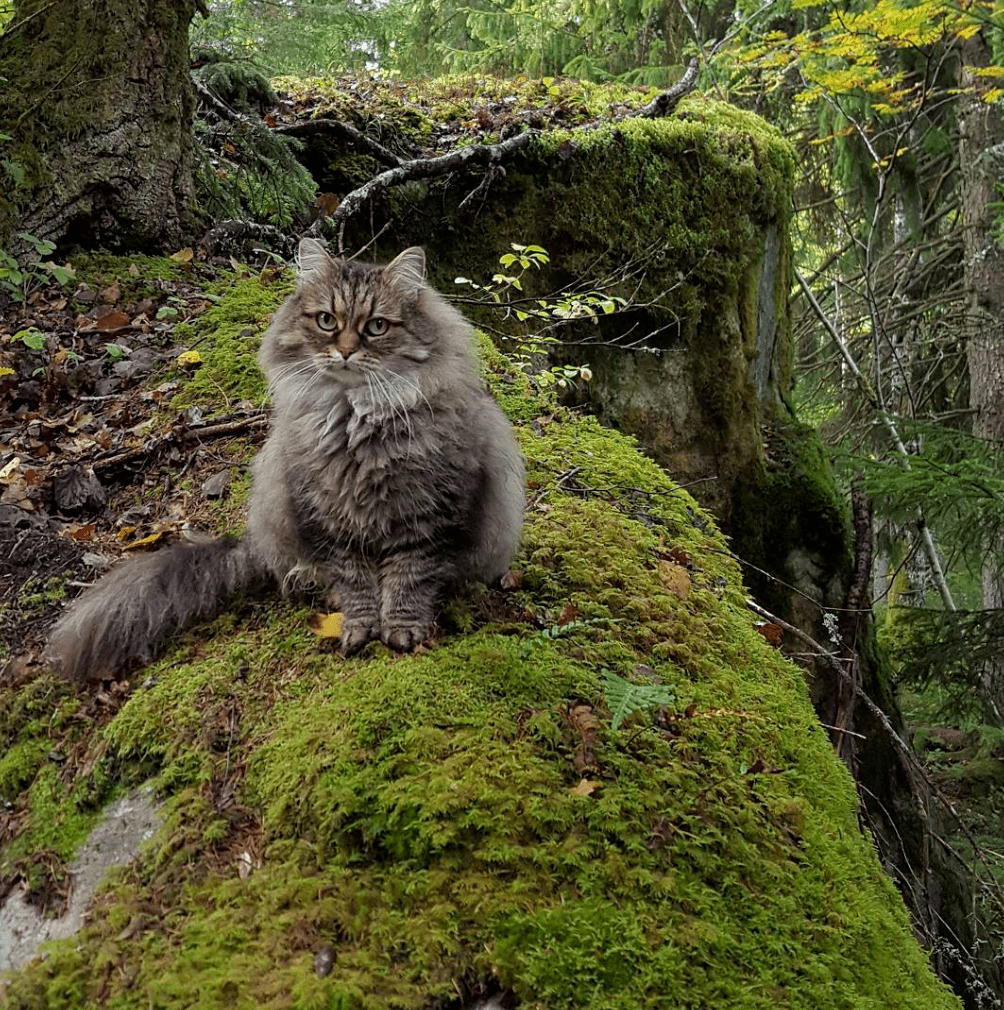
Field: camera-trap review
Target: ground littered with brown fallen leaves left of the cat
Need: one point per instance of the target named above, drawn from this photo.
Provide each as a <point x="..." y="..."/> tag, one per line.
<point x="94" y="463"/>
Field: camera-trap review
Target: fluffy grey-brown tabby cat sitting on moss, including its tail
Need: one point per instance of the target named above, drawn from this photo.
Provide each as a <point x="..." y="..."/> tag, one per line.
<point x="388" y="477"/>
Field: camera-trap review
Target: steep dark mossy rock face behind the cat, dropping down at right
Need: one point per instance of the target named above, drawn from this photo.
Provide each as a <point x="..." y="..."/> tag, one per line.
<point x="687" y="220"/>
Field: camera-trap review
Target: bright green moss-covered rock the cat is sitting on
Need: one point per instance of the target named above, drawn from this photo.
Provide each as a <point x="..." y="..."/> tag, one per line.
<point x="468" y="817"/>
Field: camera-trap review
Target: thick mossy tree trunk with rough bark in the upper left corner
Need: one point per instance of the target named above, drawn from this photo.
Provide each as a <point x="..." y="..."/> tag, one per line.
<point x="97" y="107"/>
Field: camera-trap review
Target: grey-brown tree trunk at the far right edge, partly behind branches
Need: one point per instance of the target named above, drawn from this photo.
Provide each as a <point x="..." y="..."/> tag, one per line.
<point x="980" y="130"/>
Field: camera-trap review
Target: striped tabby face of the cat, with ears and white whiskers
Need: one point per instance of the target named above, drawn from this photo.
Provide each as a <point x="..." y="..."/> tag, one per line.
<point x="354" y="323"/>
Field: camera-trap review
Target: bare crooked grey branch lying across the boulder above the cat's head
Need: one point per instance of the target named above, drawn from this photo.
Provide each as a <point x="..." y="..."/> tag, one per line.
<point x="487" y="155"/>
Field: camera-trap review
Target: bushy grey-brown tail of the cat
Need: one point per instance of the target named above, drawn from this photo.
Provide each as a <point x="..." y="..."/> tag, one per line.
<point x="130" y="612"/>
